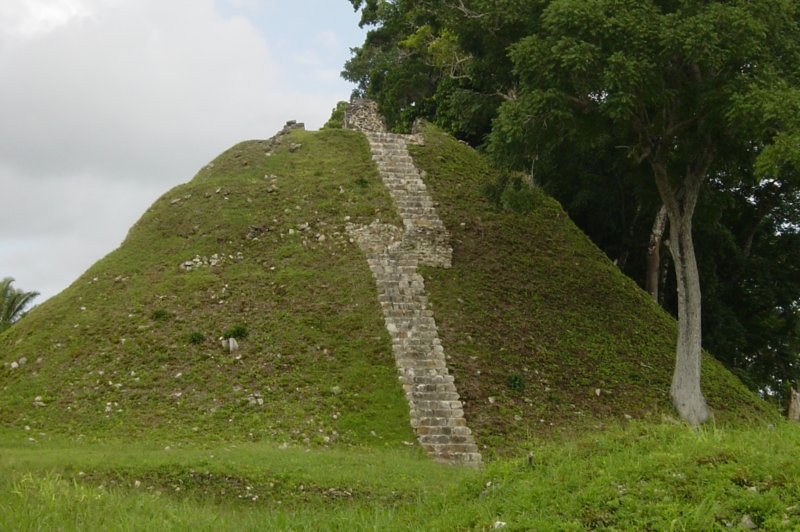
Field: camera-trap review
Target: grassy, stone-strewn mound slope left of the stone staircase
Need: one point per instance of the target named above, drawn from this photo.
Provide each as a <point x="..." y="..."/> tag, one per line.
<point x="132" y="347"/>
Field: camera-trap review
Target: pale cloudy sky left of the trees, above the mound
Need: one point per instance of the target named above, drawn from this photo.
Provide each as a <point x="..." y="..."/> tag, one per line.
<point x="107" y="104"/>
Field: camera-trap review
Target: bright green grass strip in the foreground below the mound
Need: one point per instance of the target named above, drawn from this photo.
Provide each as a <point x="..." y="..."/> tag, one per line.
<point x="638" y="476"/>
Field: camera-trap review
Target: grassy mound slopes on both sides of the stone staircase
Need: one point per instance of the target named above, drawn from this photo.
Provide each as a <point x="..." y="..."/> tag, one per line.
<point x="534" y="319"/>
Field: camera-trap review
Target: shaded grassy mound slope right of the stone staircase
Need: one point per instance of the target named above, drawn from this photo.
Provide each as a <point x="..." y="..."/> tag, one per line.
<point x="542" y="330"/>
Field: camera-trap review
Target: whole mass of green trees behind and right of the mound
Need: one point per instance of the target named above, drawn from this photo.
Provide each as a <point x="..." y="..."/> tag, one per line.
<point x="619" y="107"/>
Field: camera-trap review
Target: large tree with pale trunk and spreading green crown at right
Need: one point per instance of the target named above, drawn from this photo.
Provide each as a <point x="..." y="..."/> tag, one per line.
<point x="681" y="86"/>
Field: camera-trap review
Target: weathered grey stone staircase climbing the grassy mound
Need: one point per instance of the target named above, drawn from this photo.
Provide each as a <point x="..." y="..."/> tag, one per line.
<point x="393" y="253"/>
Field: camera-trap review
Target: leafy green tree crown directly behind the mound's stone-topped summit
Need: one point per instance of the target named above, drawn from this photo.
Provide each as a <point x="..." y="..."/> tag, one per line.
<point x="443" y="60"/>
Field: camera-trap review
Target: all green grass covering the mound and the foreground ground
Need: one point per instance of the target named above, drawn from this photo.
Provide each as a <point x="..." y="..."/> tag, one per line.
<point x="129" y="414"/>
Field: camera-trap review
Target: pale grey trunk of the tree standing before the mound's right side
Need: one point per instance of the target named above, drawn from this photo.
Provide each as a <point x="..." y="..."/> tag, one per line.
<point x="685" y="390"/>
